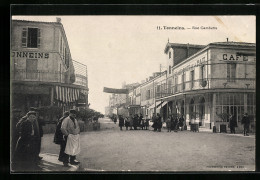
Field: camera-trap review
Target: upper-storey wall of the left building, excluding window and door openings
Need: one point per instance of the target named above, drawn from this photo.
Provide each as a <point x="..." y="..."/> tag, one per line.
<point x="49" y="58"/>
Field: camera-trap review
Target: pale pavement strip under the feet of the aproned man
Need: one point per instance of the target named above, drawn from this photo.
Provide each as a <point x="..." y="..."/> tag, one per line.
<point x="50" y="162"/>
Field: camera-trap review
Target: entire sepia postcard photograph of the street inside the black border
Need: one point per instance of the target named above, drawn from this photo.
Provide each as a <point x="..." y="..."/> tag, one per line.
<point x="132" y="93"/>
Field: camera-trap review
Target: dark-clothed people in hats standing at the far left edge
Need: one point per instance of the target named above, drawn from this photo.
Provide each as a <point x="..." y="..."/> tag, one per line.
<point x="27" y="133"/>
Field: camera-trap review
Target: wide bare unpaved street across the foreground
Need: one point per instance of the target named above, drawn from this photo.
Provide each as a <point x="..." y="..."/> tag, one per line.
<point x="144" y="150"/>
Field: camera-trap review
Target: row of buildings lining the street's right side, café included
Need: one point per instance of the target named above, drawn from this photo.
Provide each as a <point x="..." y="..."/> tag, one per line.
<point x="205" y="84"/>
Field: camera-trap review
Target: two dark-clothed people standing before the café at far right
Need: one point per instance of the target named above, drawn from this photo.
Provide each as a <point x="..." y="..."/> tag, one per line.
<point x="233" y="124"/>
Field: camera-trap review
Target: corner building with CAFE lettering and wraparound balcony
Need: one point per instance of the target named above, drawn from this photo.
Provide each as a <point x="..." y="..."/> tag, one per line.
<point x="213" y="83"/>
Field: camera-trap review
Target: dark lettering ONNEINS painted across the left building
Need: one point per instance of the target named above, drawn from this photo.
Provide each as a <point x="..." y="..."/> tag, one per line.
<point x="30" y="55"/>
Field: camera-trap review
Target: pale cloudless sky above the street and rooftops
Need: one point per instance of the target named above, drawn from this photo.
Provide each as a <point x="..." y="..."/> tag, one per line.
<point x="129" y="49"/>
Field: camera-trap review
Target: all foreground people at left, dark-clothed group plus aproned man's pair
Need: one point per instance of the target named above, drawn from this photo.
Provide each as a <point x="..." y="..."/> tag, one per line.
<point x="27" y="132"/>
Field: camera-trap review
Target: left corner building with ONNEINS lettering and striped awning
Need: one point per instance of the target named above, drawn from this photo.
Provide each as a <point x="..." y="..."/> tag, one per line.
<point x="42" y="70"/>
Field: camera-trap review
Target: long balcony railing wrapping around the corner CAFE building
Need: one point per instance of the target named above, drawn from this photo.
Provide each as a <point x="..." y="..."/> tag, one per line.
<point x="213" y="83"/>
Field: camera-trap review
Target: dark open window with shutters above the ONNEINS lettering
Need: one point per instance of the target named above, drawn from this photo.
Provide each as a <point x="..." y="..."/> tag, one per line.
<point x="31" y="37"/>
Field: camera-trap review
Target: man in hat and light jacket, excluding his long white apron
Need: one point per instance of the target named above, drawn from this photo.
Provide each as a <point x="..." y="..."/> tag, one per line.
<point x="70" y="126"/>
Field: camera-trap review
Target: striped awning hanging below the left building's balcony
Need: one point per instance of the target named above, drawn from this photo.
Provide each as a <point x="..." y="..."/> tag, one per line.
<point x="66" y="94"/>
